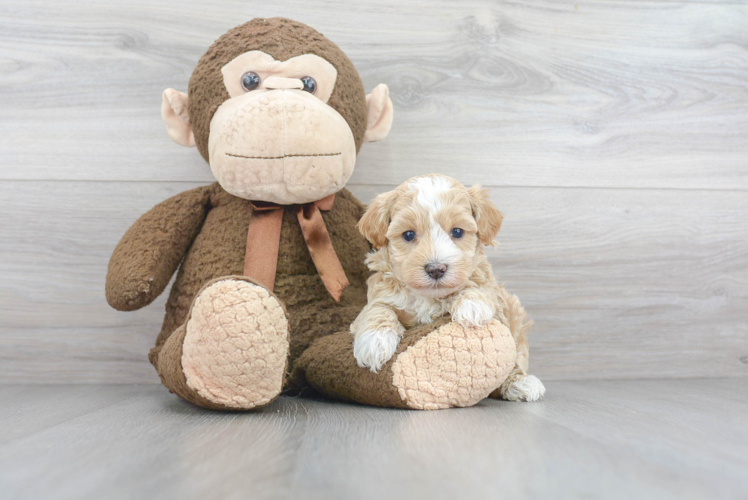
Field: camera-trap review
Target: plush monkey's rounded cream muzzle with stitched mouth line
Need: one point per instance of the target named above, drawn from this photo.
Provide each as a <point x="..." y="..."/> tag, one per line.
<point x="280" y="146"/>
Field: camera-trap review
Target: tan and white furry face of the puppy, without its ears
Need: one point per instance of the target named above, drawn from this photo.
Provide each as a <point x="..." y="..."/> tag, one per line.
<point x="432" y="207"/>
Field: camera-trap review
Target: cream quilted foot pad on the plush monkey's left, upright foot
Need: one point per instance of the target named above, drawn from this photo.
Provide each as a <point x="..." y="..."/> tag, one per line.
<point x="236" y="345"/>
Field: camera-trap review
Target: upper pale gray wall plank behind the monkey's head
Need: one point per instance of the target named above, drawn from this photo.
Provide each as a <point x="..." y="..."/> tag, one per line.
<point x="507" y="93"/>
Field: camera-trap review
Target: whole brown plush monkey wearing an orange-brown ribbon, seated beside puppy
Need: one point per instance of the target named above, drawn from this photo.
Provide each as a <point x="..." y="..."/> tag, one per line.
<point x="271" y="265"/>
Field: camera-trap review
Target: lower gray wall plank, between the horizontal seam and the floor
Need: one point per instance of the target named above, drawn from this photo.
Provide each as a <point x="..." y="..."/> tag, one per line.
<point x="621" y="283"/>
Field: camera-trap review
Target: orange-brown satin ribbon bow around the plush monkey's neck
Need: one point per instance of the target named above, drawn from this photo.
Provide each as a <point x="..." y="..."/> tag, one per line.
<point x="263" y="242"/>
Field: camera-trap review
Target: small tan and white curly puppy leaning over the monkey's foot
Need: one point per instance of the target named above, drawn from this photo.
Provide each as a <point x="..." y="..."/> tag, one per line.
<point x="428" y="236"/>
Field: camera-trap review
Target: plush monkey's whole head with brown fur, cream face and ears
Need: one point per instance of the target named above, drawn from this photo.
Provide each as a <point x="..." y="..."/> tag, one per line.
<point x="278" y="111"/>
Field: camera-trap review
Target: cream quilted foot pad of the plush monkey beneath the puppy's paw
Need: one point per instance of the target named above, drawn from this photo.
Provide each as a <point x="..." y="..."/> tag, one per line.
<point x="454" y="366"/>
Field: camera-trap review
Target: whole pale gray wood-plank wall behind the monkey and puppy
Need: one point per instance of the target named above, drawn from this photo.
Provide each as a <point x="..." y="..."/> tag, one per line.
<point x="613" y="134"/>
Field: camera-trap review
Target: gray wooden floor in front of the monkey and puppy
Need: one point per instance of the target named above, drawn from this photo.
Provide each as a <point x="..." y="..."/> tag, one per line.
<point x="587" y="439"/>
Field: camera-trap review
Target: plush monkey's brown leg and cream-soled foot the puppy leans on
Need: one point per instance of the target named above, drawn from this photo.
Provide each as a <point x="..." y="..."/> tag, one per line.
<point x="438" y="365"/>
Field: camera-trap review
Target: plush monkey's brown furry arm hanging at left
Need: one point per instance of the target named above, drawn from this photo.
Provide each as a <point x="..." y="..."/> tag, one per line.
<point x="151" y="250"/>
